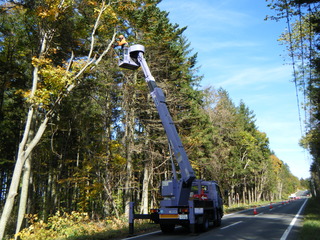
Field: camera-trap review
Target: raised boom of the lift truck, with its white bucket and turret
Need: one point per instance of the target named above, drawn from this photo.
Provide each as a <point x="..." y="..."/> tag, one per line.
<point x="133" y="59"/>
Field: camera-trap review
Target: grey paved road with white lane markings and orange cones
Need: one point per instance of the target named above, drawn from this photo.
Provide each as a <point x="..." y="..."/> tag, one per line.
<point x="282" y="221"/>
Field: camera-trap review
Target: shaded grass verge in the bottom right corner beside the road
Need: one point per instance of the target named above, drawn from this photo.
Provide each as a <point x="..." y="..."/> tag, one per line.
<point x="311" y="222"/>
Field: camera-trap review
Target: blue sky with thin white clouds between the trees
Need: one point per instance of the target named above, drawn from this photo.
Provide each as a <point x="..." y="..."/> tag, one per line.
<point x="238" y="51"/>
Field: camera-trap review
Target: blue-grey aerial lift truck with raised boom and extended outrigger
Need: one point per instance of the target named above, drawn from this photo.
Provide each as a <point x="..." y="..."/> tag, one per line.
<point x="186" y="201"/>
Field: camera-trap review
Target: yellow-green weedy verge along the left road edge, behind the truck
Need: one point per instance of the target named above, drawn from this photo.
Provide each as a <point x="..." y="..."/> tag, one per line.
<point x="78" y="226"/>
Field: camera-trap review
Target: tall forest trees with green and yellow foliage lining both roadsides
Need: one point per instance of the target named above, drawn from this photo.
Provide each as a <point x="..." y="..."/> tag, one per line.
<point x="79" y="134"/>
